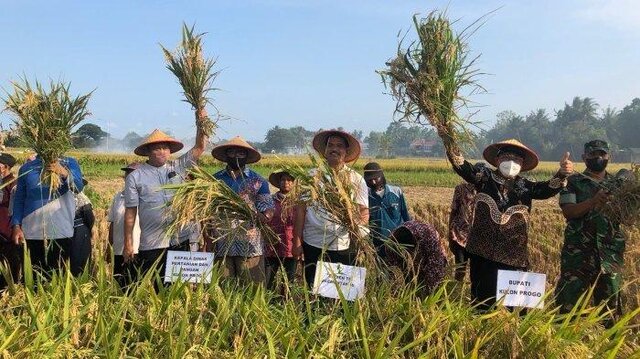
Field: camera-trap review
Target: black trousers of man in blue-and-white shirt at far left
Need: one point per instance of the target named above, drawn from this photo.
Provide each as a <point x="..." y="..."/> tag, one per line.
<point x="46" y="260"/>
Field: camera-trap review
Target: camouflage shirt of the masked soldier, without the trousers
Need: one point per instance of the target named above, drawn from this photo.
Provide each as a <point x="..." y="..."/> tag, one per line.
<point x="592" y="241"/>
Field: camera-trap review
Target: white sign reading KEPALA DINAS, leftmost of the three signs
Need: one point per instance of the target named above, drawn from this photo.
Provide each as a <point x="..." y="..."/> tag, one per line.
<point x="193" y="267"/>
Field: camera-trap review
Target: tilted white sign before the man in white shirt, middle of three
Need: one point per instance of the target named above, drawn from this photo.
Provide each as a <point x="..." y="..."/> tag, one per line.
<point x="333" y="279"/>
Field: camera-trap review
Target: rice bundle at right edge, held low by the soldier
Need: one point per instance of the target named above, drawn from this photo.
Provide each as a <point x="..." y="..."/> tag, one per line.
<point x="624" y="206"/>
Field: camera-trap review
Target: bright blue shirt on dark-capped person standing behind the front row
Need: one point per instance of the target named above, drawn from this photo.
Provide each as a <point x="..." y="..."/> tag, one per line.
<point x="386" y="213"/>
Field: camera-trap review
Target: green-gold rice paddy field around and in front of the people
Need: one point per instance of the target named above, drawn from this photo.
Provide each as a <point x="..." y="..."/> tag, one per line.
<point x="90" y="316"/>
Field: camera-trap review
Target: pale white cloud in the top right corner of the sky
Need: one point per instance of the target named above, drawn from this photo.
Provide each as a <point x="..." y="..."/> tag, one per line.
<point x="620" y="14"/>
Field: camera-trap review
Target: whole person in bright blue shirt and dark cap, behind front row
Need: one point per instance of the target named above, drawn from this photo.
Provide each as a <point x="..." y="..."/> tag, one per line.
<point x="387" y="206"/>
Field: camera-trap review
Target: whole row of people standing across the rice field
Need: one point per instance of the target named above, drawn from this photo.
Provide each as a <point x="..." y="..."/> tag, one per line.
<point x="488" y="221"/>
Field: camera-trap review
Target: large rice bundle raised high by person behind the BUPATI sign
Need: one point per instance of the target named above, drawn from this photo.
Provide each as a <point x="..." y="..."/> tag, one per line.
<point x="428" y="76"/>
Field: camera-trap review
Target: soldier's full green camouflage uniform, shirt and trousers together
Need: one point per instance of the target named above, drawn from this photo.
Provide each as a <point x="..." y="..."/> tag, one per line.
<point x="592" y="252"/>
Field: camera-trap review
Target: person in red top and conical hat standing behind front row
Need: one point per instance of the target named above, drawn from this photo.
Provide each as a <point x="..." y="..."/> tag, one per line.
<point x="279" y="254"/>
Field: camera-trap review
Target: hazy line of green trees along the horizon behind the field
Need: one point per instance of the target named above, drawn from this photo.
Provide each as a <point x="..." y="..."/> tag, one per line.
<point x="549" y="134"/>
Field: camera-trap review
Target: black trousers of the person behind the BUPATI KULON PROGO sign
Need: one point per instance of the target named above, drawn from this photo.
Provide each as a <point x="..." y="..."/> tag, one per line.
<point x="484" y="280"/>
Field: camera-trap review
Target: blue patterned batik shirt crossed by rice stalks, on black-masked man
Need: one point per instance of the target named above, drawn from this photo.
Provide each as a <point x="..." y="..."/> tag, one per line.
<point x="244" y="239"/>
